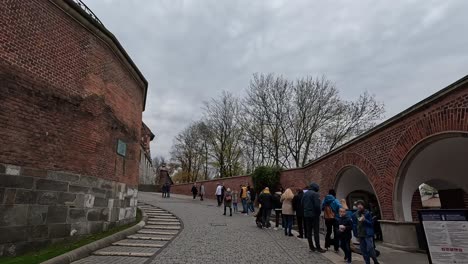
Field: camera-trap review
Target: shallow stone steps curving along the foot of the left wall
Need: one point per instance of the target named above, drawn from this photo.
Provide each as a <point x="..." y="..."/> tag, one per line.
<point x="160" y="228"/>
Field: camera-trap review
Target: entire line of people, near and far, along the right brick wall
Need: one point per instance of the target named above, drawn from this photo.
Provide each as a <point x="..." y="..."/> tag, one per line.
<point x="305" y="205"/>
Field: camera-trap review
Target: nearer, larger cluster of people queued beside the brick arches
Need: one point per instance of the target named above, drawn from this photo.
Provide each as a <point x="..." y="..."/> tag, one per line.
<point x="339" y="220"/>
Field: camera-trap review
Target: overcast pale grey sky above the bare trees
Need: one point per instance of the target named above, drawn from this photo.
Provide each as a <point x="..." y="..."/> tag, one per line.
<point x="189" y="51"/>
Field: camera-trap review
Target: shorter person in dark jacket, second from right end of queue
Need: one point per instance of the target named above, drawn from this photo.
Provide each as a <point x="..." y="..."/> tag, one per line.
<point x="344" y="226"/>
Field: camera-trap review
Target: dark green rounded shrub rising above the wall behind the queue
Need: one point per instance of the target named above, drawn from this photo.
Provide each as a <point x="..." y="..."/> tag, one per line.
<point x="266" y="176"/>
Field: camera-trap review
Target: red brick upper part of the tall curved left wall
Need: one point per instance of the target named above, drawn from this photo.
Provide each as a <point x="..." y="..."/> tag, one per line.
<point x="65" y="96"/>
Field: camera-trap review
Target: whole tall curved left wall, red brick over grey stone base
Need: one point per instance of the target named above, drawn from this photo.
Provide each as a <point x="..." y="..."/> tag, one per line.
<point x="67" y="95"/>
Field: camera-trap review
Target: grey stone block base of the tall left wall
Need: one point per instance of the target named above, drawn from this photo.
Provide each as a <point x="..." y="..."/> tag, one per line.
<point x="34" y="212"/>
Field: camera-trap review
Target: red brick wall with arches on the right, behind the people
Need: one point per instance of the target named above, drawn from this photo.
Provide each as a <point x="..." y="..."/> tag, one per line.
<point x="380" y="155"/>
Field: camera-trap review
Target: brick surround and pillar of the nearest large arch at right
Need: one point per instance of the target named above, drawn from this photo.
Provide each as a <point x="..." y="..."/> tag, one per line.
<point x="419" y="134"/>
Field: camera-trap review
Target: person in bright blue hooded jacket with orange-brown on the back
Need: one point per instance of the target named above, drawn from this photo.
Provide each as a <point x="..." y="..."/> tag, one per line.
<point x="330" y="207"/>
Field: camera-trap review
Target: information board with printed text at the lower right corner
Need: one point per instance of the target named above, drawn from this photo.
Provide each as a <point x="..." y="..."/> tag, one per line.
<point x="446" y="233"/>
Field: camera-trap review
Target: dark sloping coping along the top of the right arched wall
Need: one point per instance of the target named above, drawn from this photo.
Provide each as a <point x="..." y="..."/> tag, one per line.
<point x="452" y="87"/>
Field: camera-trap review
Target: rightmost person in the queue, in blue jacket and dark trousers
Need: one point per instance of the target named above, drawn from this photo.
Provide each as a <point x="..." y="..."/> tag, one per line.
<point x="363" y="226"/>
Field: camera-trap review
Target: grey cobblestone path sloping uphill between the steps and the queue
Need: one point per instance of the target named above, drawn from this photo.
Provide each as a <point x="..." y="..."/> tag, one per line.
<point x="210" y="237"/>
